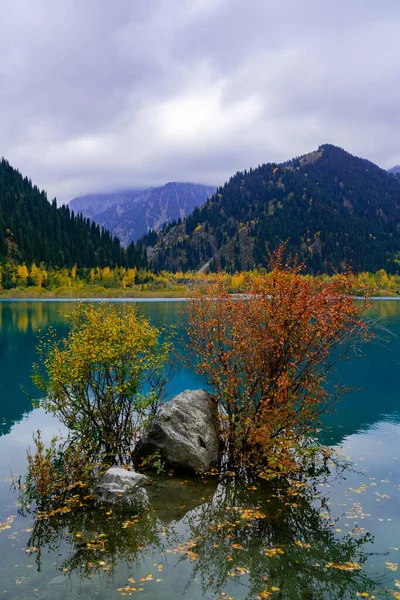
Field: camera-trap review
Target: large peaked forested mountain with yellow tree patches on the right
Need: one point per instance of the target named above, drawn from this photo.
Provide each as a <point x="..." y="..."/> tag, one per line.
<point x="330" y="207"/>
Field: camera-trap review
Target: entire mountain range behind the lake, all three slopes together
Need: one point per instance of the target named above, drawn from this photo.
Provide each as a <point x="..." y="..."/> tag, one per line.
<point x="331" y="209"/>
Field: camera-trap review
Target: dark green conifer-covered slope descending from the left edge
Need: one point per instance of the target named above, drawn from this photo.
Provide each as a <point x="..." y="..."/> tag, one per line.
<point x="33" y="230"/>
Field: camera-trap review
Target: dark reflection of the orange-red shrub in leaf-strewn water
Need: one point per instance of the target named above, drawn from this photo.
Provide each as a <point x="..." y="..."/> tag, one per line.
<point x="276" y="540"/>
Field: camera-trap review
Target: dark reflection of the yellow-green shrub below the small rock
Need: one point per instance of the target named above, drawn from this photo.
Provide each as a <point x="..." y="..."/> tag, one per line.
<point x="99" y="535"/>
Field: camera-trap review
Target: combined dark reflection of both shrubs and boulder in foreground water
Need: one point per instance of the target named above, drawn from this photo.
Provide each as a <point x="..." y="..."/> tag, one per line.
<point x="212" y="536"/>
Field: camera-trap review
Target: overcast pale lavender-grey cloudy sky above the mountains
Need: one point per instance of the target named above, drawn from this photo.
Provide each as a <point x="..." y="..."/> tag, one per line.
<point x="97" y="95"/>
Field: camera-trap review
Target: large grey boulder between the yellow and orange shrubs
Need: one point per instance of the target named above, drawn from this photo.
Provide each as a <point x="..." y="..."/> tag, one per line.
<point x="185" y="432"/>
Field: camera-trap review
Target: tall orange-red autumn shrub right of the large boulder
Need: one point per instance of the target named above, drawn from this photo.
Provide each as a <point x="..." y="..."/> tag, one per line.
<point x="267" y="355"/>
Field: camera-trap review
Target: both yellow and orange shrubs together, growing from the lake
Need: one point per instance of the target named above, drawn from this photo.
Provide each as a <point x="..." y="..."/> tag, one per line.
<point x="266" y="355"/>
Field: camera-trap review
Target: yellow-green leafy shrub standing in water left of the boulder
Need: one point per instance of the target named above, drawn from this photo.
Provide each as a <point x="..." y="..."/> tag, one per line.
<point x="106" y="379"/>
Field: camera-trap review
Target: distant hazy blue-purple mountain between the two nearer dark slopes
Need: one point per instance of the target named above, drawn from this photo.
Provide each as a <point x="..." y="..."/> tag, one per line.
<point x="132" y="213"/>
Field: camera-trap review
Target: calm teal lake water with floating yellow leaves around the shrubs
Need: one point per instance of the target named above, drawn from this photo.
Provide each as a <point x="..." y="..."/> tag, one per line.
<point x="198" y="538"/>
